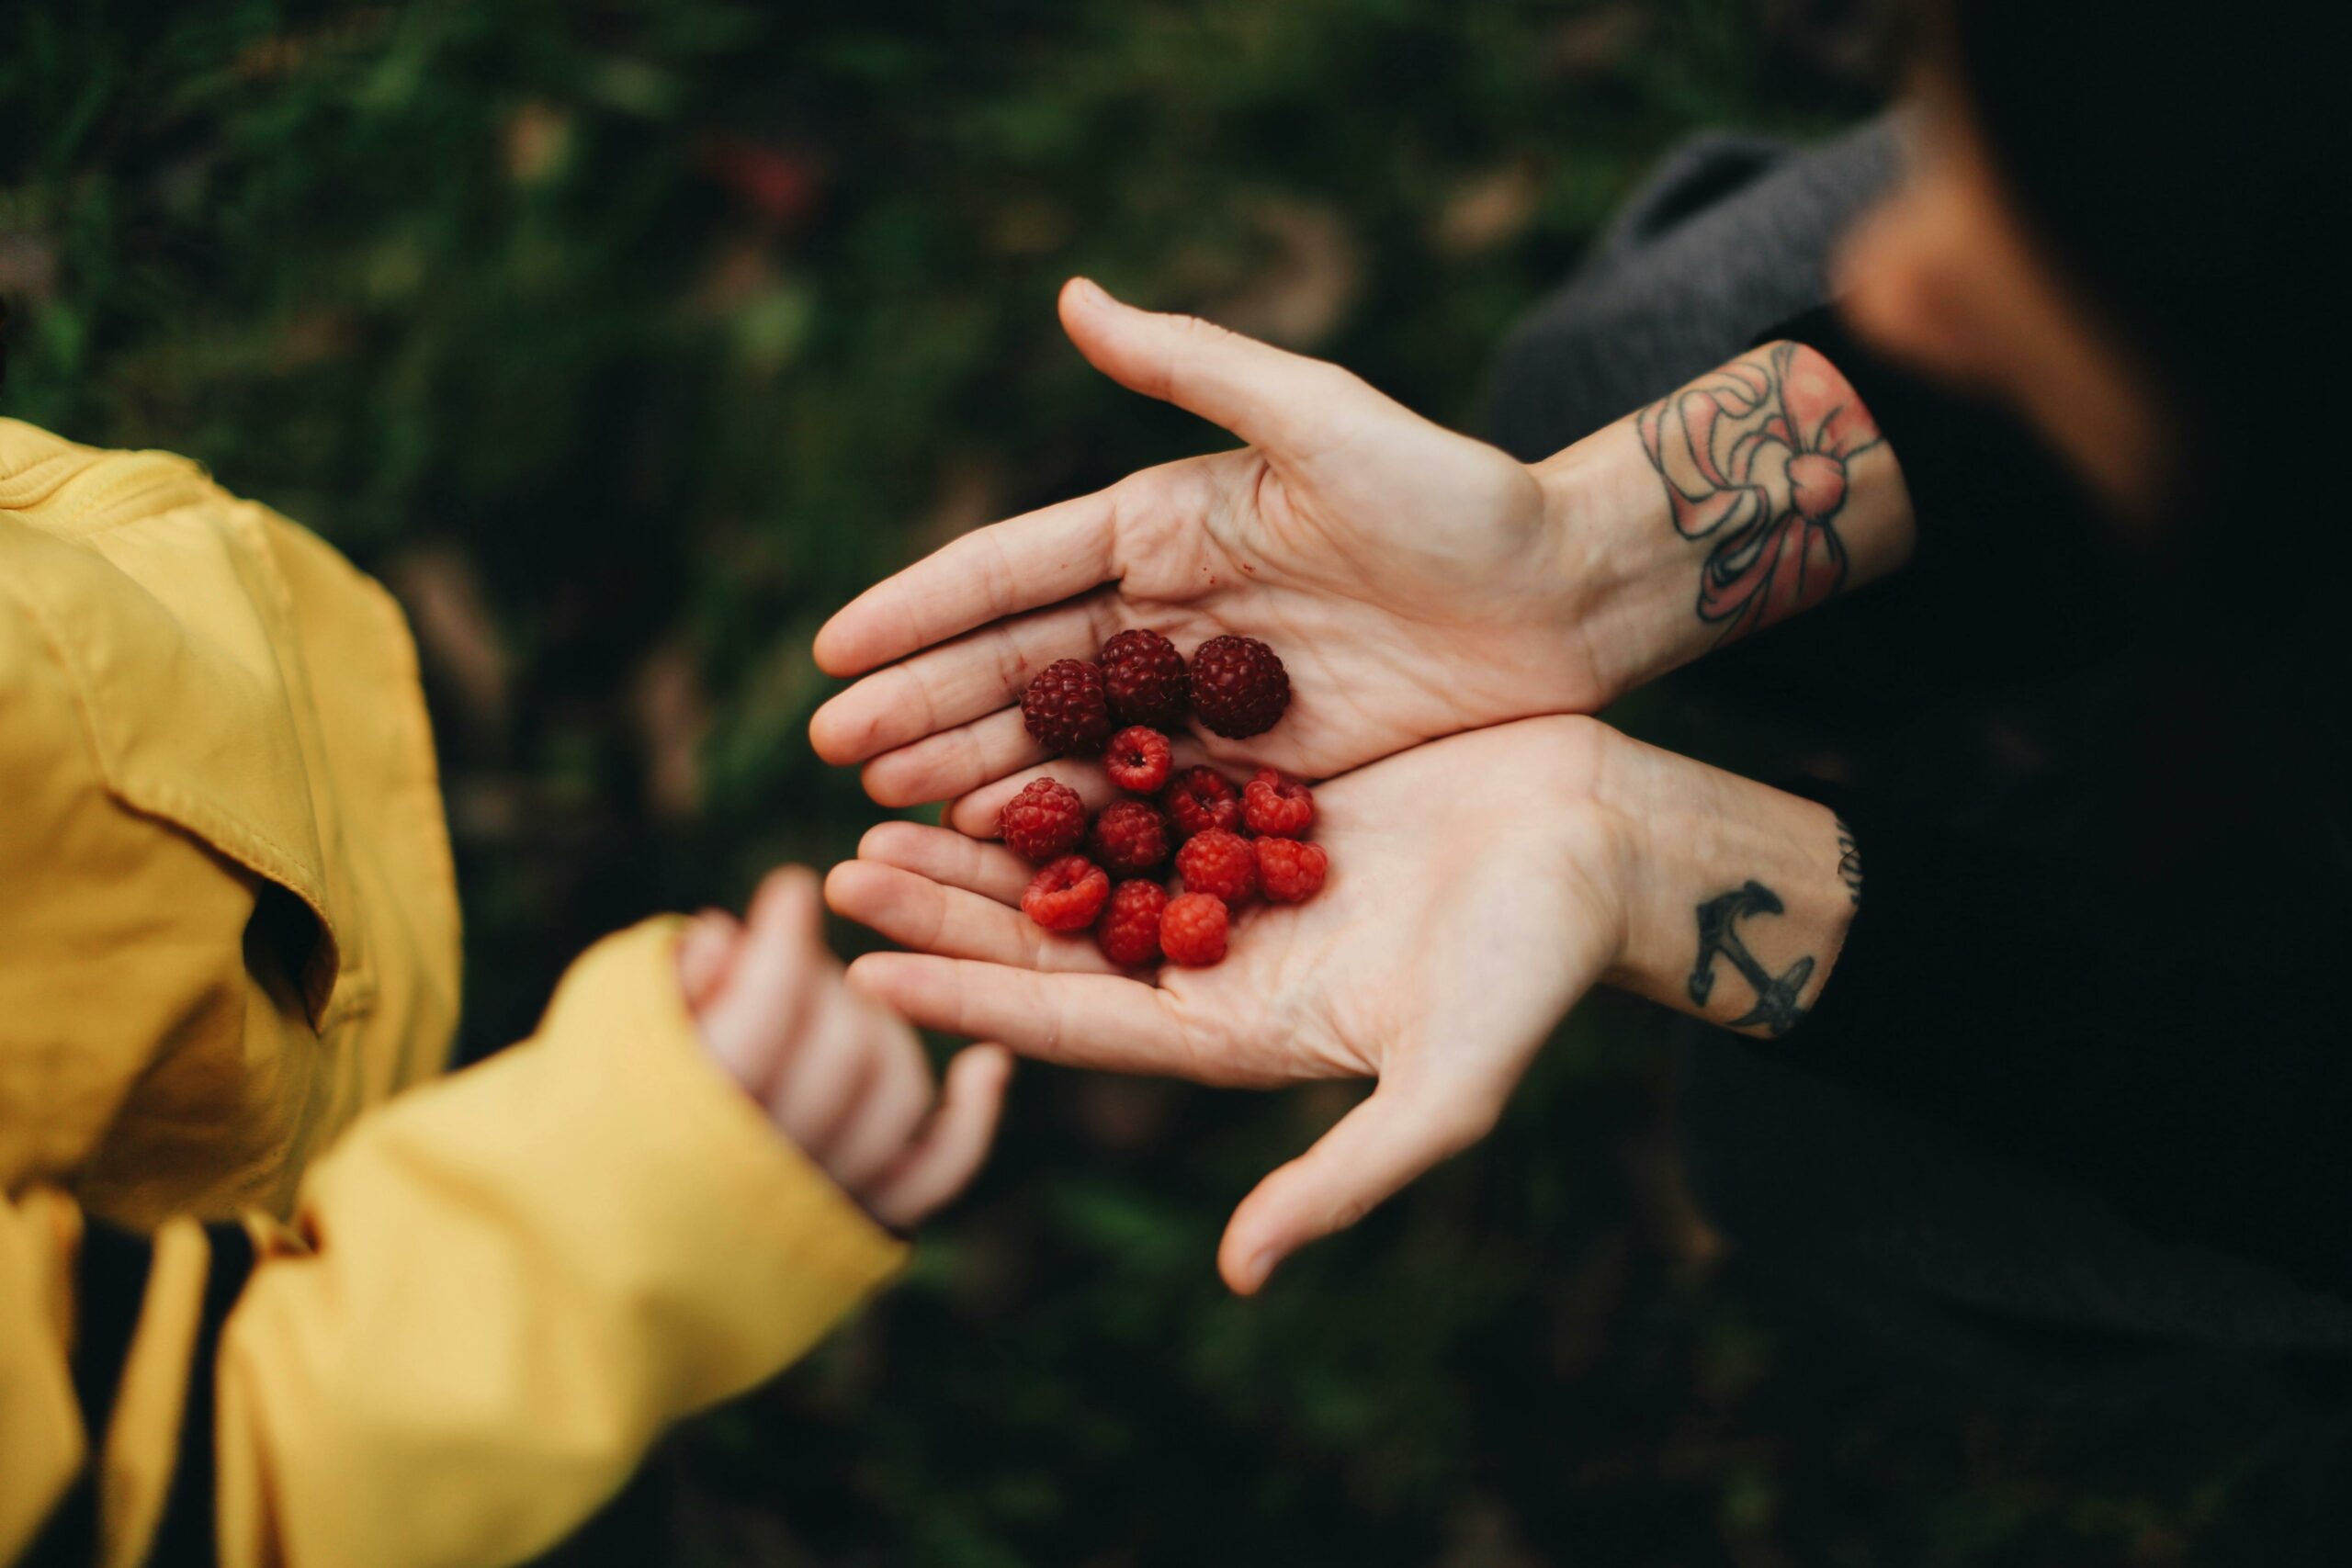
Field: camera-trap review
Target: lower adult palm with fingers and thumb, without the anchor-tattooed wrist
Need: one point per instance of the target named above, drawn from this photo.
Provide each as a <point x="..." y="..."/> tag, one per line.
<point x="1471" y="904"/>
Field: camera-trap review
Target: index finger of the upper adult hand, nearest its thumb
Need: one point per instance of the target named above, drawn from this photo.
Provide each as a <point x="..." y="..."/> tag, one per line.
<point x="1003" y="570"/>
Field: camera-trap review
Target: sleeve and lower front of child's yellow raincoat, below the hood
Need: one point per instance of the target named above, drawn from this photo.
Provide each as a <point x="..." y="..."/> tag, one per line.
<point x="495" y="1294"/>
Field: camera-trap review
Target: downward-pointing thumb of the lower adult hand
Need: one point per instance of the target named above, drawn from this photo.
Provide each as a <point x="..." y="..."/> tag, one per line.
<point x="1375" y="1151"/>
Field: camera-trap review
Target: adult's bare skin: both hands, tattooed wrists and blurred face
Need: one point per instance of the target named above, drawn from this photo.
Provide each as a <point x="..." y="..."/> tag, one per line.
<point x="1422" y="587"/>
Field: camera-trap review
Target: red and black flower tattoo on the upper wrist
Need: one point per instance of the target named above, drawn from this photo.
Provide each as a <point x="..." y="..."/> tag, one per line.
<point x="1756" y="460"/>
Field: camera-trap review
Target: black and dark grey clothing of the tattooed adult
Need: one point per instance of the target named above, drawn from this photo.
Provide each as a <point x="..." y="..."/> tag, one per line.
<point x="2076" y="1090"/>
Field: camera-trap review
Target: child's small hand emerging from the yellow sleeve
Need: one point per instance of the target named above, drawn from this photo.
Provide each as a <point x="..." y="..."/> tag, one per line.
<point x="838" y="1076"/>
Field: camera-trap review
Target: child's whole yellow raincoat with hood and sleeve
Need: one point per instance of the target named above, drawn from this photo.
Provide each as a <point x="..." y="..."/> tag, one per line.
<point x="265" y="1292"/>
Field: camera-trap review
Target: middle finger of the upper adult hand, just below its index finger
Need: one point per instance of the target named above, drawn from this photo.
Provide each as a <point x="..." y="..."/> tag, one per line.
<point x="956" y="683"/>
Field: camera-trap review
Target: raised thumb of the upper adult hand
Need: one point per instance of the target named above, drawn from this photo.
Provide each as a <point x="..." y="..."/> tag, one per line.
<point x="1271" y="398"/>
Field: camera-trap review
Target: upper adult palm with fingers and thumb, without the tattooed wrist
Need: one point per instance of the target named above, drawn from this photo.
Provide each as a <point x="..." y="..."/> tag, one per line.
<point x="1405" y="575"/>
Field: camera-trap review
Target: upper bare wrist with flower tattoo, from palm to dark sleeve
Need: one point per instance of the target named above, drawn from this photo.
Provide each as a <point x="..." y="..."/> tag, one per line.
<point x="1728" y="507"/>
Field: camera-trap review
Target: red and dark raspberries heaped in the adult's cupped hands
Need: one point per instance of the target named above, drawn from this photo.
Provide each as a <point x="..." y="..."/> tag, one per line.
<point x="1227" y="845"/>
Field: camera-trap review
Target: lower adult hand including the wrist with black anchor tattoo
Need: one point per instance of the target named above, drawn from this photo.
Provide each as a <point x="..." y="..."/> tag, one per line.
<point x="1478" y="890"/>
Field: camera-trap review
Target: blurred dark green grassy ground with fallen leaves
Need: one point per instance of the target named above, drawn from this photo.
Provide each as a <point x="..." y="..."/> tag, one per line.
<point x="629" y="340"/>
